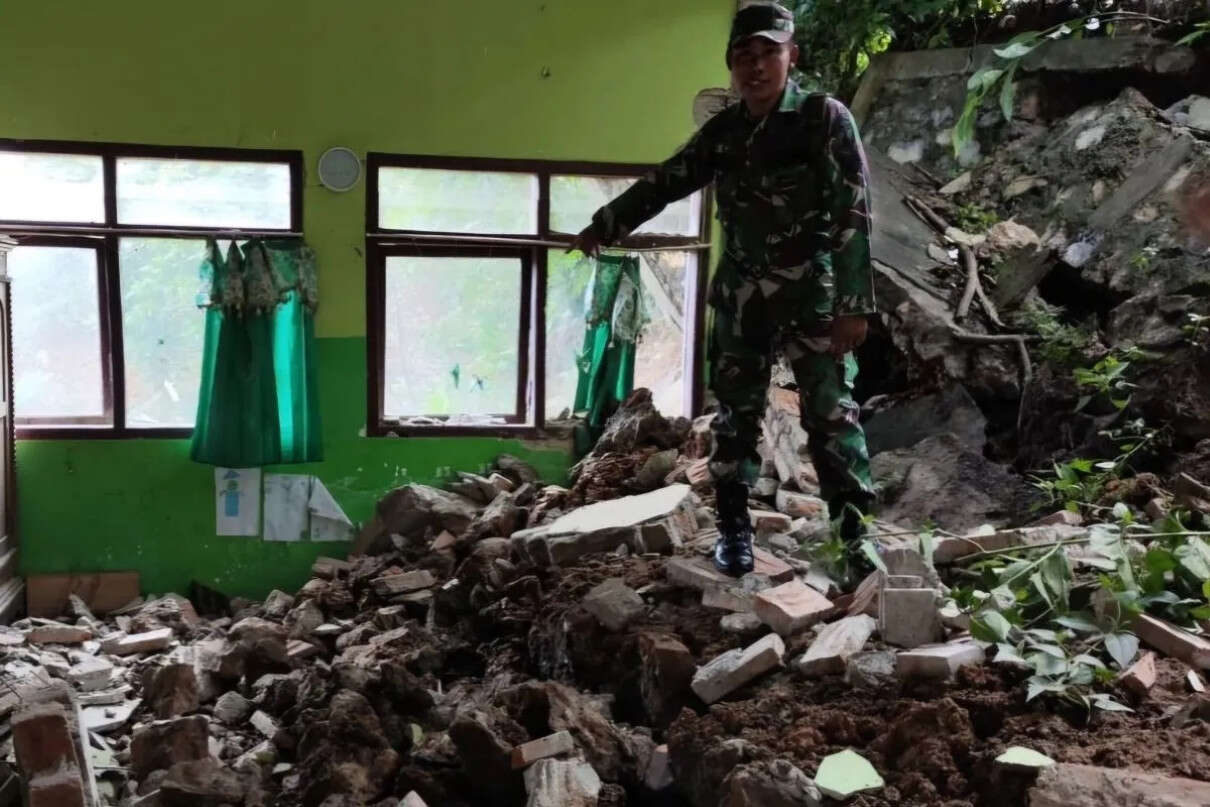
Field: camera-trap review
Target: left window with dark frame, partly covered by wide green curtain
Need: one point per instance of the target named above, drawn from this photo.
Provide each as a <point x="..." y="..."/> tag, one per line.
<point x="107" y="327"/>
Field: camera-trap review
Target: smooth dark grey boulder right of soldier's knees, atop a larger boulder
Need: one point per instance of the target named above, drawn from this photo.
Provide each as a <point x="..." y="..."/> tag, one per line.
<point x="953" y="412"/>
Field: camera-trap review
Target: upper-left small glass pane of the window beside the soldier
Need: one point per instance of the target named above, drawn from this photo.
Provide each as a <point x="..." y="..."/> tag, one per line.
<point x="458" y="201"/>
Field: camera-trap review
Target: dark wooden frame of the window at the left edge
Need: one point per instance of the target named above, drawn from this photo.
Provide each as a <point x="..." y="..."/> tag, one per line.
<point x="106" y="239"/>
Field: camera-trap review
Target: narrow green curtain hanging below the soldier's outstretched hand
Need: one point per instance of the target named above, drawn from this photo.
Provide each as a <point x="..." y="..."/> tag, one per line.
<point x="614" y="319"/>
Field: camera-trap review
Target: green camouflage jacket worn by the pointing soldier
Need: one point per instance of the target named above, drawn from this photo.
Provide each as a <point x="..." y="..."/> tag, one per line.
<point x="793" y="201"/>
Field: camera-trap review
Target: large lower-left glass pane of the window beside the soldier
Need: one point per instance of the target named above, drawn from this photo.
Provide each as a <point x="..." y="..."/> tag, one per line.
<point x="452" y="332"/>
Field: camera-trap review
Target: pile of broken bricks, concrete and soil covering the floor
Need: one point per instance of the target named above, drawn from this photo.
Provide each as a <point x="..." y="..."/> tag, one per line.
<point x="498" y="644"/>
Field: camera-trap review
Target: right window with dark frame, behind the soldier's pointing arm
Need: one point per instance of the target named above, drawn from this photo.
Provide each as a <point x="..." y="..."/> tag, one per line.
<point x="477" y="313"/>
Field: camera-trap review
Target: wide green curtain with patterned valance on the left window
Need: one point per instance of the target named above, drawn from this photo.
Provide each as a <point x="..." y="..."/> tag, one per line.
<point x="260" y="401"/>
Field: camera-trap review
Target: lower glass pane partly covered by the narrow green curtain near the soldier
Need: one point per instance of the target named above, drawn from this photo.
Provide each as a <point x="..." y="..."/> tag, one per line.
<point x="660" y="359"/>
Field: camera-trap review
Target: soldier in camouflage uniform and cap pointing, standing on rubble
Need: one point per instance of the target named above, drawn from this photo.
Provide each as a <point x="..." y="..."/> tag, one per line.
<point x="794" y="276"/>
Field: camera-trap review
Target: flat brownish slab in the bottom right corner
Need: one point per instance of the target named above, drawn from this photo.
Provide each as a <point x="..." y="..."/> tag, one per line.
<point x="1084" y="786"/>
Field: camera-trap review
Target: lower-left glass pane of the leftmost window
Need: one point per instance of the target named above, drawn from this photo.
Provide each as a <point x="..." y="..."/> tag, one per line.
<point x="56" y="333"/>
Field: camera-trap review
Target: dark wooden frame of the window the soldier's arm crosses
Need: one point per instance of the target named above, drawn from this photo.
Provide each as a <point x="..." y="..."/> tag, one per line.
<point x="383" y="241"/>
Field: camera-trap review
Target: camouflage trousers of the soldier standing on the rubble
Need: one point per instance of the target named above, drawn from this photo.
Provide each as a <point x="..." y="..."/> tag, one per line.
<point x="742" y="351"/>
